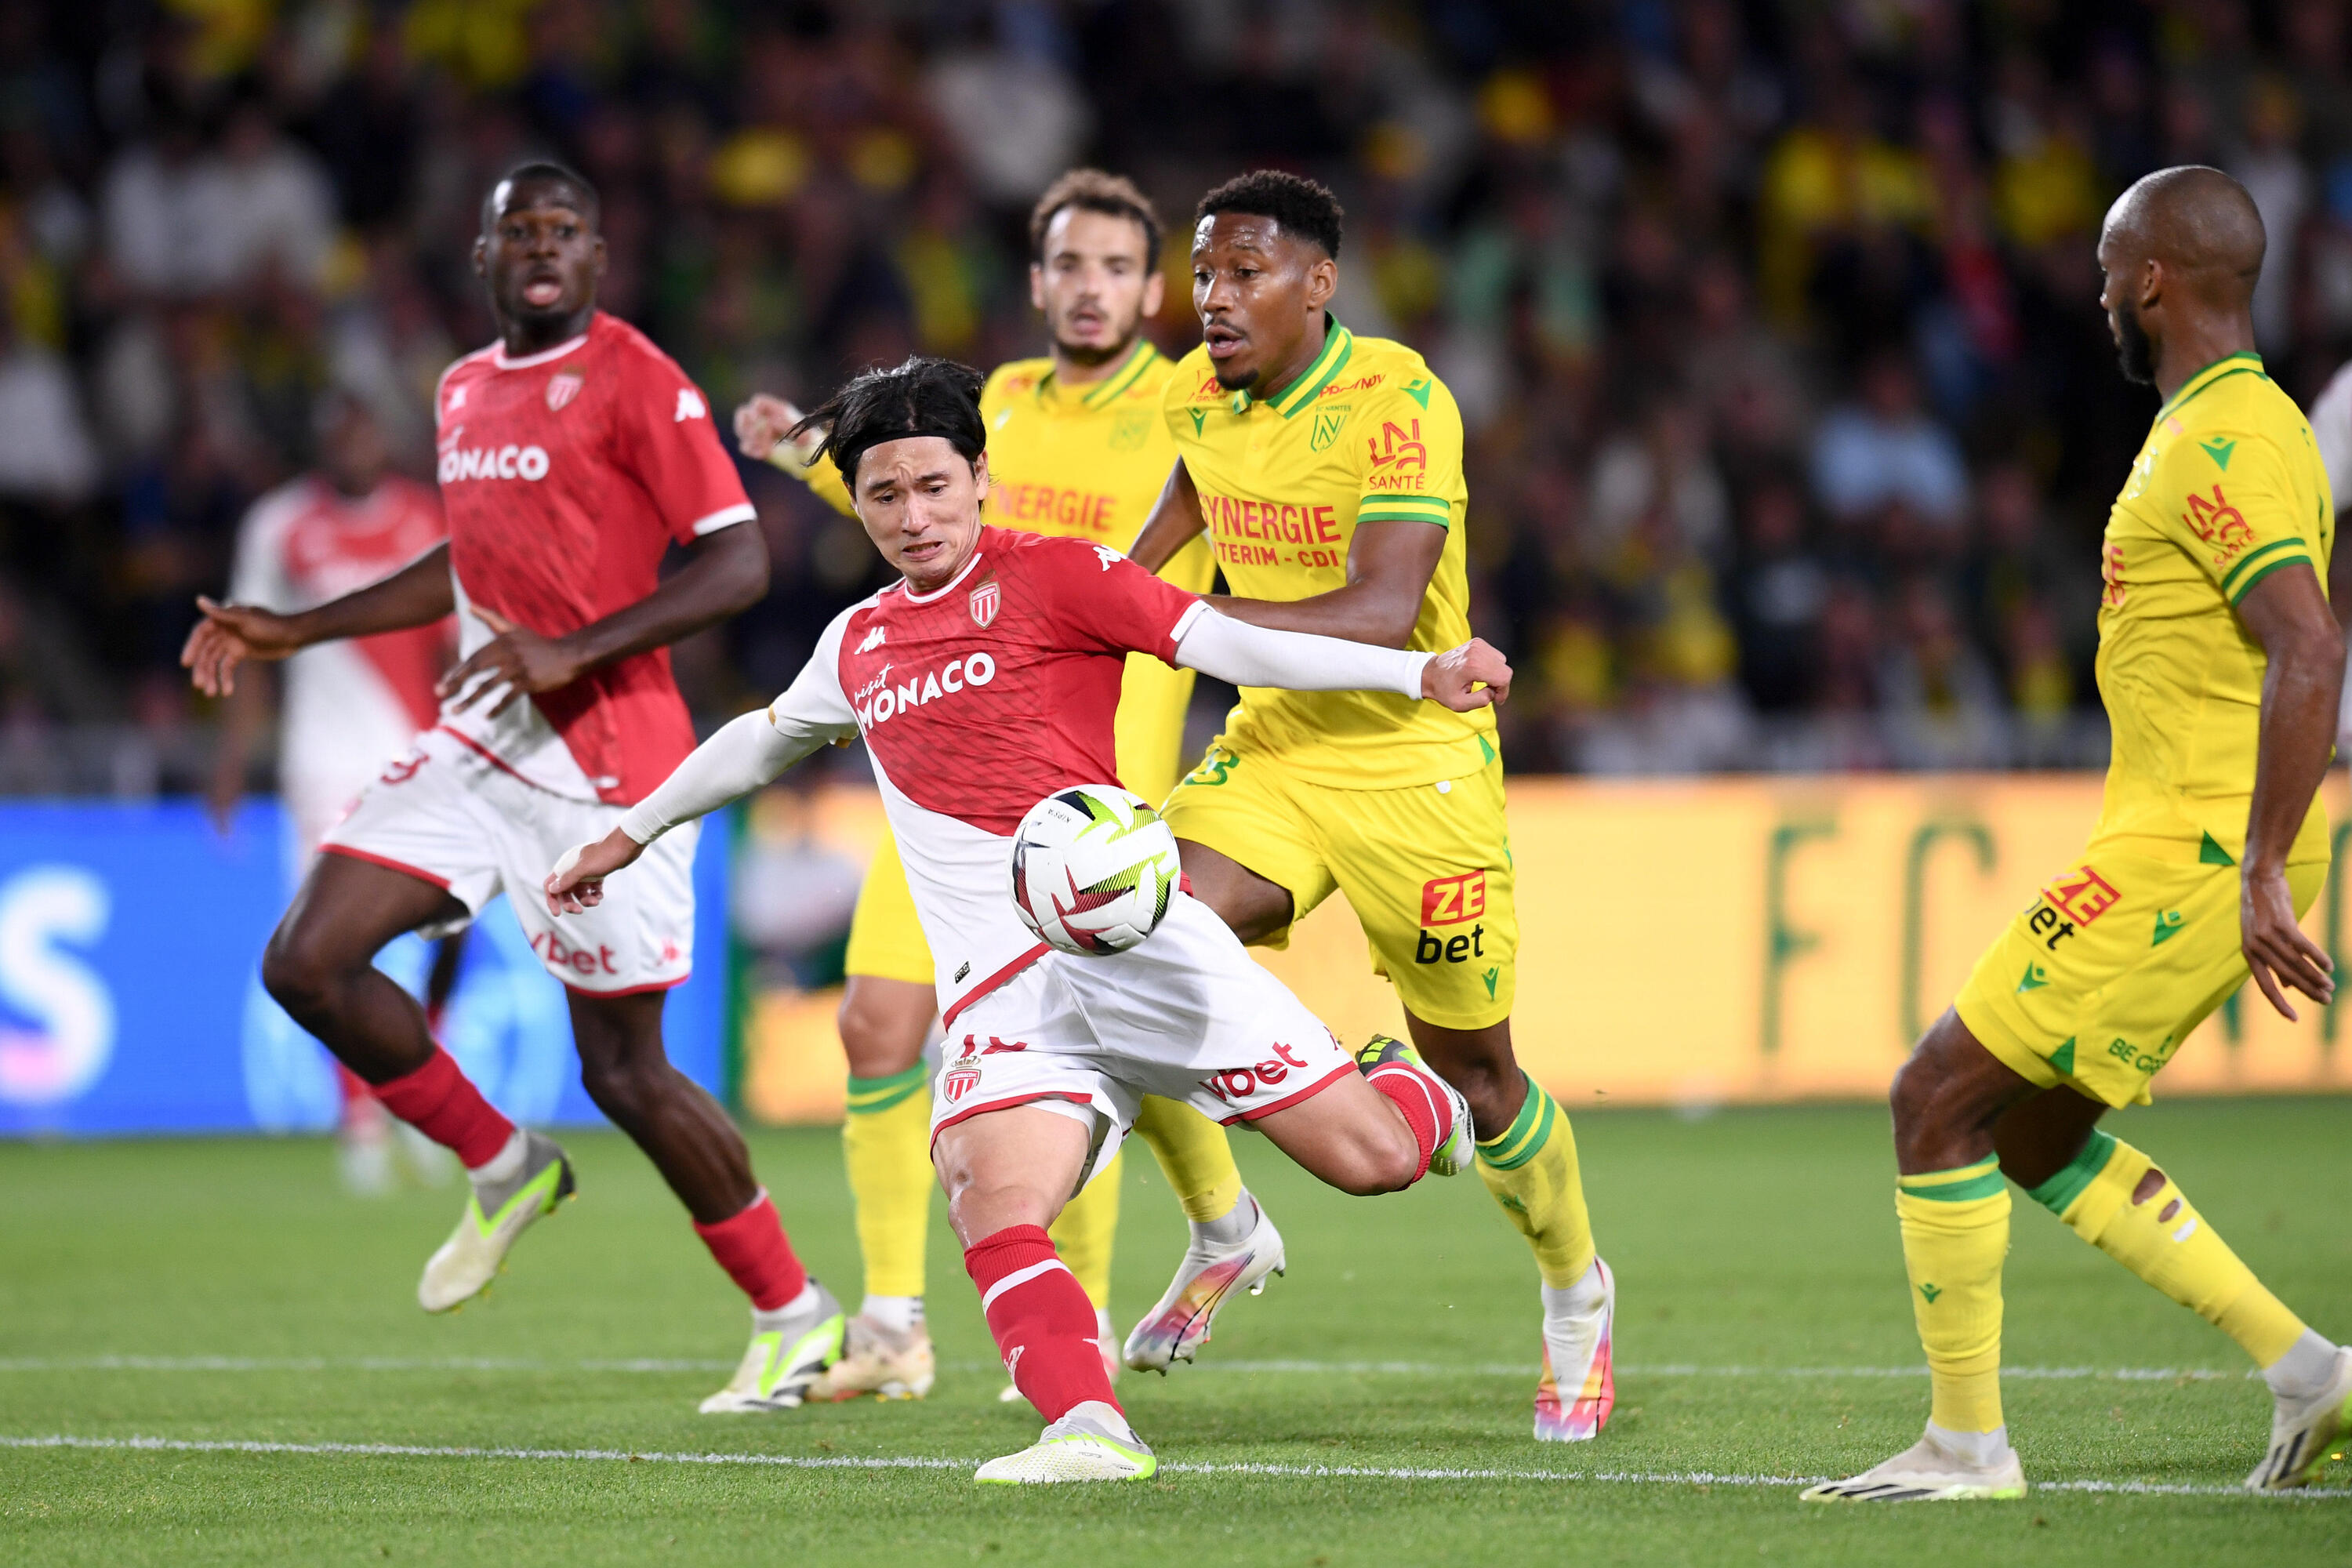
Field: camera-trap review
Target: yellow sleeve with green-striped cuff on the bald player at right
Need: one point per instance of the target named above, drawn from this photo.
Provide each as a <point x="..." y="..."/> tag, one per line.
<point x="2231" y="504"/>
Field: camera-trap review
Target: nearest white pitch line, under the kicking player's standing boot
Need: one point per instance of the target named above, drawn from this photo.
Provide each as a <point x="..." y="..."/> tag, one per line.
<point x="1243" y="1468"/>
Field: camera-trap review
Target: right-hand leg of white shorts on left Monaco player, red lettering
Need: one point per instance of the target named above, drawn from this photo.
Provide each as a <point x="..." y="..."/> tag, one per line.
<point x="641" y="937"/>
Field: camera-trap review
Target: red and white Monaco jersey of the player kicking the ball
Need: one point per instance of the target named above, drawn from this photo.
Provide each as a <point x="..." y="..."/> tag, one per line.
<point x="977" y="702"/>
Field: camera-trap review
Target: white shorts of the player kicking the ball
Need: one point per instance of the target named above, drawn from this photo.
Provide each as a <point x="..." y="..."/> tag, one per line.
<point x="1187" y="1017"/>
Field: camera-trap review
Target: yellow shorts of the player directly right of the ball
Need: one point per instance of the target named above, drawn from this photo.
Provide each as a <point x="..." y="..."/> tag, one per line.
<point x="1424" y="869"/>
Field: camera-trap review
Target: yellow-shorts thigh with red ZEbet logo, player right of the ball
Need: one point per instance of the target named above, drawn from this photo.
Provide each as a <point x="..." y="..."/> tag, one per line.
<point x="1429" y="876"/>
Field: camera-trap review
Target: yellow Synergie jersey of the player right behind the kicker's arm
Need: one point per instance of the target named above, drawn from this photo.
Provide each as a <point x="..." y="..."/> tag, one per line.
<point x="1365" y="436"/>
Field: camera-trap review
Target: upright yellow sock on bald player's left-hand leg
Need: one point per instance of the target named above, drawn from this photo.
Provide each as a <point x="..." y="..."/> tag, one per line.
<point x="1956" y="1233"/>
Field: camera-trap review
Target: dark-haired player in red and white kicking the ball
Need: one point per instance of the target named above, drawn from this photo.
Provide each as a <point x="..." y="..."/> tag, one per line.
<point x="987" y="681"/>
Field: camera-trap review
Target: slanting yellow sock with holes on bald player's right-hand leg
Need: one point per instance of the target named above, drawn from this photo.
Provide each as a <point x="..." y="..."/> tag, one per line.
<point x="2167" y="1245"/>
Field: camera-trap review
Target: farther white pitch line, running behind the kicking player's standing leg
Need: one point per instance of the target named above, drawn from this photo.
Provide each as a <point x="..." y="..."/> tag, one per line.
<point x="1278" y="1367"/>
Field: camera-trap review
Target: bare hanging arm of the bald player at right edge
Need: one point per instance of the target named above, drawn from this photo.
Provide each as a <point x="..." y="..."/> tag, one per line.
<point x="2301" y="690"/>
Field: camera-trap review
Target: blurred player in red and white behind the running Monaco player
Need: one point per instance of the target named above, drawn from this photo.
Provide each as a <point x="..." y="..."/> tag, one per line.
<point x="345" y="709"/>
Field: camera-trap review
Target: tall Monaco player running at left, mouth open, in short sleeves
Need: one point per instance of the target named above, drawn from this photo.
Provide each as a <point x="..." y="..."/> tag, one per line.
<point x="573" y="457"/>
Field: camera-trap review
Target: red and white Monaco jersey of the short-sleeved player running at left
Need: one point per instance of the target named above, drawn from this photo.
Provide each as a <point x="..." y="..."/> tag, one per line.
<point x="566" y="478"/>
